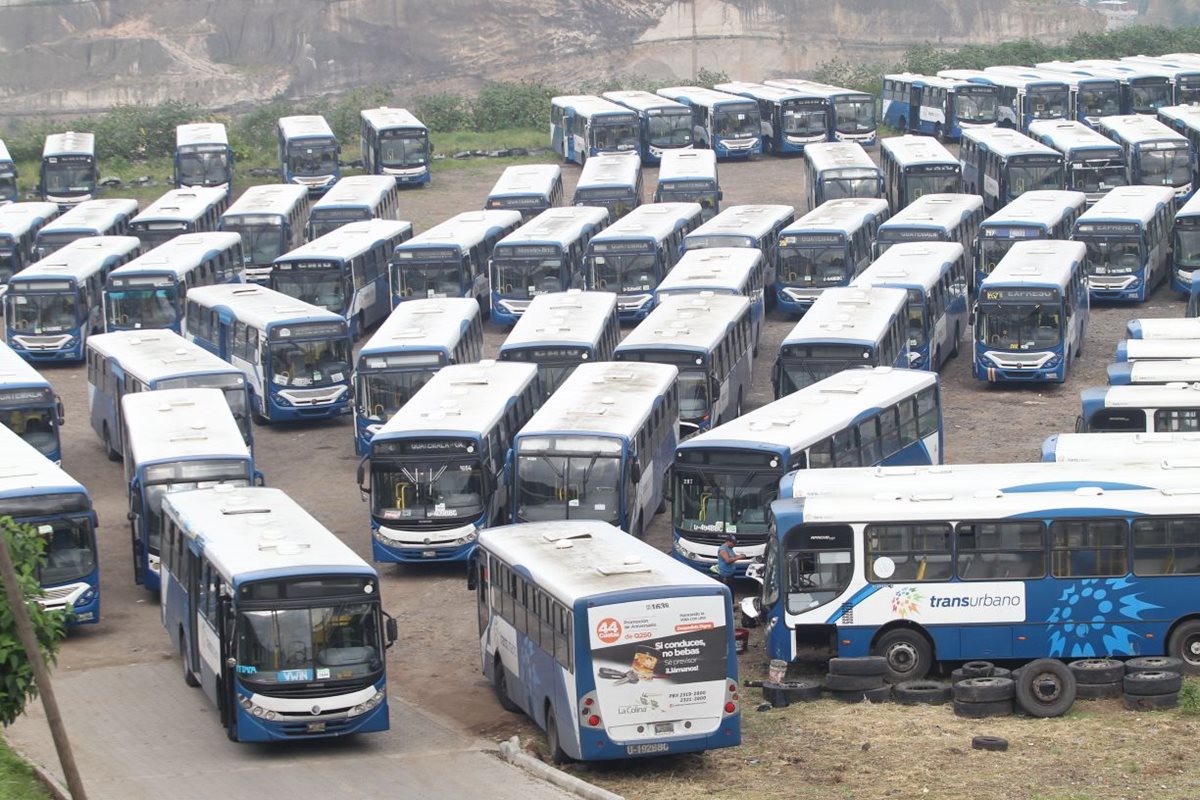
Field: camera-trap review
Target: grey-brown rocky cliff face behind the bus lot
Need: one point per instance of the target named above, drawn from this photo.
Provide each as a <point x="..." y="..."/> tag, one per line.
<point x="75" y="57"/>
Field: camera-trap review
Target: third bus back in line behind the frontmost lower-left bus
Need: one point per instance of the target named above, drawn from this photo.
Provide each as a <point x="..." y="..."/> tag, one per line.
<point x="143" y="362"/>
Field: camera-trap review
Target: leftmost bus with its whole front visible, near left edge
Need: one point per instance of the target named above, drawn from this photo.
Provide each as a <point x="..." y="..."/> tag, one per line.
<point x="55" y="305"/>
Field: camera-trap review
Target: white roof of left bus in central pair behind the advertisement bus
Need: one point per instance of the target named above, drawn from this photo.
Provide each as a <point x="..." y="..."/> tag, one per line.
<point x="459" y="400"/>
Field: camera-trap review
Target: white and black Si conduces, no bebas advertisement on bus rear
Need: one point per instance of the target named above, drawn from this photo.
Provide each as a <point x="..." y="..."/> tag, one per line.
<point x="661" y="664"/>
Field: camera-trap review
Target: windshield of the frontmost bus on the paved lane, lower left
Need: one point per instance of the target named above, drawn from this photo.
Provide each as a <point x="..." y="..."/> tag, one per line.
<point x="284" y="647"/>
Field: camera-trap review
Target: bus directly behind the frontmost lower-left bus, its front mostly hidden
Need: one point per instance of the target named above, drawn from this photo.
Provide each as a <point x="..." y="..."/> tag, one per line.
<point x="176" y="441"/>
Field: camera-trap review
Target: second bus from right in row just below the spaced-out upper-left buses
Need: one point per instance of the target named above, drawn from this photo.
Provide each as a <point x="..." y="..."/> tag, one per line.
<point x="272" y="221"/>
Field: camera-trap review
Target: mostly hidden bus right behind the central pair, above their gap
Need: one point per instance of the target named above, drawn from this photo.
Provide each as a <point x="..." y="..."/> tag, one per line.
<point x="562" y="330"/>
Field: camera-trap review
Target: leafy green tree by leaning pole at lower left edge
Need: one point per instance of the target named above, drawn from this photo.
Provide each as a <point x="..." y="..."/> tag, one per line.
<point x="17" y="685"/>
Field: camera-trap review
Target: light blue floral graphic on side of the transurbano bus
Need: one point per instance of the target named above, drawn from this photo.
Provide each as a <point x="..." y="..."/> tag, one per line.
<point x="1088" y="619"/>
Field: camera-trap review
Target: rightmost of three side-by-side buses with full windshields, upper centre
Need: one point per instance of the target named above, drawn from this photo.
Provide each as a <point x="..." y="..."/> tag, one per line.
<point x="633" y="255"/>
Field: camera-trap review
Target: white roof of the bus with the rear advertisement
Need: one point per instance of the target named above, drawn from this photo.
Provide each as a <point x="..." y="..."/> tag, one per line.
<point x="578" y="560"/>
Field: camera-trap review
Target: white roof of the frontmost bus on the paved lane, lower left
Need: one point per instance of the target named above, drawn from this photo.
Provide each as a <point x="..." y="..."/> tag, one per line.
<point x="260" y="533"/>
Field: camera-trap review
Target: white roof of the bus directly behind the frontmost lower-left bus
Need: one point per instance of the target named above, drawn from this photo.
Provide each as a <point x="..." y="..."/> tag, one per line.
<point x="172" y="425"/>
